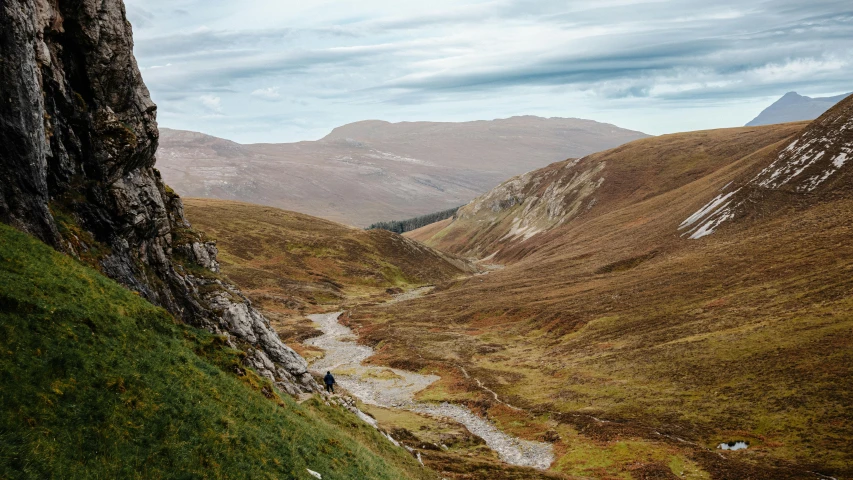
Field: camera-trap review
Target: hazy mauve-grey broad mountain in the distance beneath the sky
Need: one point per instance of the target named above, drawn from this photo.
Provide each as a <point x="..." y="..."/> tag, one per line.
<point x="373" y="171"/>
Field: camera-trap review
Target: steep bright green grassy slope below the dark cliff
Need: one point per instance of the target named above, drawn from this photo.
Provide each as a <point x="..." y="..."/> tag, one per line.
<point x="97" y="383"/>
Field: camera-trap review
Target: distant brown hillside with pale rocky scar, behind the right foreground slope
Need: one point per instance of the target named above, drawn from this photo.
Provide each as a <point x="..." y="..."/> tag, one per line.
<point x="515" y="218"/>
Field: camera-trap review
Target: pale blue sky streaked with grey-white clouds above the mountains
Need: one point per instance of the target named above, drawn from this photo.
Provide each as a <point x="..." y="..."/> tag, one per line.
<point x="285" y="70"/>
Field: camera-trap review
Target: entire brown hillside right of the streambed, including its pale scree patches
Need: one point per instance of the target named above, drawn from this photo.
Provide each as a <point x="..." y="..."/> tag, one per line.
<point x="643" y="349"/>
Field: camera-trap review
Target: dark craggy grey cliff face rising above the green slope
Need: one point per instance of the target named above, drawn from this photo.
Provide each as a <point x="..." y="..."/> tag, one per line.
<point x="78" y="136"/>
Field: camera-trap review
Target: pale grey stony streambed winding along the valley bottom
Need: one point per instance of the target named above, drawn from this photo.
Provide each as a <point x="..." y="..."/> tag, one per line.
<point x="393" y="388"/>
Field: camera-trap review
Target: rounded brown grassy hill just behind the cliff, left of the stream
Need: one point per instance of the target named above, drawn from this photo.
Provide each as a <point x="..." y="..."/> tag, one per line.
<point x="292" y="264"/>
